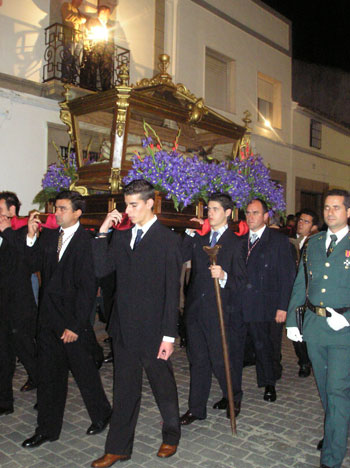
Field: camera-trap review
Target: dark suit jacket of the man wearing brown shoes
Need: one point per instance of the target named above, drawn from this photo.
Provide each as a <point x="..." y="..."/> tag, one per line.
<point x="147" y="285"/>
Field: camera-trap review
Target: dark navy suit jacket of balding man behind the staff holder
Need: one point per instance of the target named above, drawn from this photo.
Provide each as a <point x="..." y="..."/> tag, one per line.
<point x="271" y="272"/>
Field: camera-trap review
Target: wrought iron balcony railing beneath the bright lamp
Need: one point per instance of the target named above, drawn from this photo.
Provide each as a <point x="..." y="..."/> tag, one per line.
<point x="71" y="58"/>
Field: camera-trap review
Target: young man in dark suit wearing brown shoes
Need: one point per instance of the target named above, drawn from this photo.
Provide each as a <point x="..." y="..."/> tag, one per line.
<point x="143" y="324"/>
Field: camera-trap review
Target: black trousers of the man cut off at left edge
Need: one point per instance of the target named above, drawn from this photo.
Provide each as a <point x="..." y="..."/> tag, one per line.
<point x="14" y="343"/>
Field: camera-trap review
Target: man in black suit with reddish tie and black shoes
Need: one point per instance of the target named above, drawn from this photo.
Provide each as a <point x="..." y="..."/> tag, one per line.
<point x="65" y="337"/>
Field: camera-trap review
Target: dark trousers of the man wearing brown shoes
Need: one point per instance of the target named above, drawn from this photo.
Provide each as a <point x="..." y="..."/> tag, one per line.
<point x="128" y="368"/>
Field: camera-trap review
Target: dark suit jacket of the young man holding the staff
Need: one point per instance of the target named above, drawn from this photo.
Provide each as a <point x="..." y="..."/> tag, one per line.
<point x="200" y="296"/>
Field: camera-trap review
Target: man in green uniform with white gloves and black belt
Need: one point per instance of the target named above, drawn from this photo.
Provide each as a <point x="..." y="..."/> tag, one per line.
<point x="326" y="327"/>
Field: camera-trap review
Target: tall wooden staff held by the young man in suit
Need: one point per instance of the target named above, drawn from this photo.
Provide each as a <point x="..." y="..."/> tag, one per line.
<point x="212" y="252"/>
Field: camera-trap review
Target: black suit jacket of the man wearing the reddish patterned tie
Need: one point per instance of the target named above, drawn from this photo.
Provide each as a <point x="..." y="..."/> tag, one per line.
<point x="68" y="287"/>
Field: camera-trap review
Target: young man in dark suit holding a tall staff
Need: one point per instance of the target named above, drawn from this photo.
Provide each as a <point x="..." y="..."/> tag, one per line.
<point x="204" y="347"/>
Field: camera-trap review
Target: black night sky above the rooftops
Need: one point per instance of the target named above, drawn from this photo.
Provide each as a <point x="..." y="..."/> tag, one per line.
<point x="321" y="30"/>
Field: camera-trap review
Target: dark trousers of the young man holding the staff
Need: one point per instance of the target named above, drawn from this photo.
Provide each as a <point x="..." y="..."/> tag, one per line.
<point x="205" y="355"/>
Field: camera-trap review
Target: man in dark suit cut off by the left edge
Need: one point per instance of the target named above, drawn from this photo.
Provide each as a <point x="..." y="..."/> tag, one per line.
<point x="18" y="310"/>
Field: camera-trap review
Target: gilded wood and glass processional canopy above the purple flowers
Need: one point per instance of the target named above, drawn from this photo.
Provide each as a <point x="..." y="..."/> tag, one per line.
<point x="107" y="128"/>
